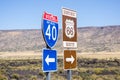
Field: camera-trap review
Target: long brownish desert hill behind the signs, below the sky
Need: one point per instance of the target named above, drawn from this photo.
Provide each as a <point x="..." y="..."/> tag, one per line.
<point x="90" y="39"/>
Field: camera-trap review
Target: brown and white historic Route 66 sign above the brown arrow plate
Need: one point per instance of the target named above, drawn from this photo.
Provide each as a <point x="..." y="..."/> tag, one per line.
<point x="69" y="24"/>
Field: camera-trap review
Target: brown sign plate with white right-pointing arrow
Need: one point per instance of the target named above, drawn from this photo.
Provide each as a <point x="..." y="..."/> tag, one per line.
<point x="70" y="59"/>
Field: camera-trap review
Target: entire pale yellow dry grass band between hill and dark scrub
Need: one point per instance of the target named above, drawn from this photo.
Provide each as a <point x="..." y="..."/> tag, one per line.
<point x="38" y="55"/>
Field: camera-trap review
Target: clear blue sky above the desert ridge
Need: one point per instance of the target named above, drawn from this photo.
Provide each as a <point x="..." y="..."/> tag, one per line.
<point x="27" y="14"/>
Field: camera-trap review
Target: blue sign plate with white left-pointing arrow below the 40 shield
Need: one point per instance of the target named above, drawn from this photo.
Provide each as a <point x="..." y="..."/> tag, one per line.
<point x="49" y="61"/>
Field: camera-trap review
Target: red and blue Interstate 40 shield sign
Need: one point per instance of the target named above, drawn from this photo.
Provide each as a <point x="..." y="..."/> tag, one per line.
<point x="50" y="29"/>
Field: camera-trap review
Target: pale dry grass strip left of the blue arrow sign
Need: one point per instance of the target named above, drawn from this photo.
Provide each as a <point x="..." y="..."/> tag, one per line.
<point x="20" y="55"/>
